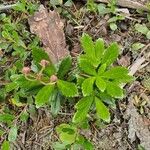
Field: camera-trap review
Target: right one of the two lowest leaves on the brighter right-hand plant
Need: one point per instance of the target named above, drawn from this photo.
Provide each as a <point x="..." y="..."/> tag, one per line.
<point x="102" y="110"/>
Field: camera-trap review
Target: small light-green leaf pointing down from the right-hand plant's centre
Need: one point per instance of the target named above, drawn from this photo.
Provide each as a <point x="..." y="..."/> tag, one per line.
<point x="101" y="84"/>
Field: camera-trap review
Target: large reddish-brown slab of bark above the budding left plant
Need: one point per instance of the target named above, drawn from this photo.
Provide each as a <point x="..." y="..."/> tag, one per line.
<point x="49" y="28"/>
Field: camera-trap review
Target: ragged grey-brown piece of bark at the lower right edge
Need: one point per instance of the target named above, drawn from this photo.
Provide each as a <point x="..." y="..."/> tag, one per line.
<point x="138" y="126"/>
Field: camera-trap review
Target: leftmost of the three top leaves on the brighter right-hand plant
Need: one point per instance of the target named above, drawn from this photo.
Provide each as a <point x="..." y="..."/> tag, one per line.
<point x="88" y="45"/>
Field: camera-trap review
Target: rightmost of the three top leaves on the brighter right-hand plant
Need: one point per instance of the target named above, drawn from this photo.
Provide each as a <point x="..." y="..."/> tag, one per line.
<point x="111" y="54"/>
